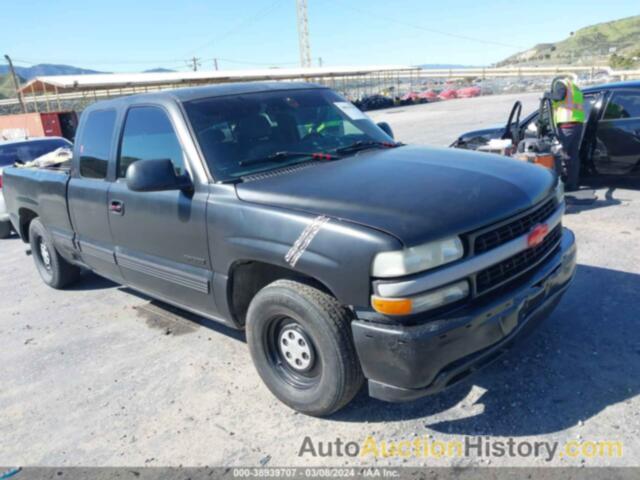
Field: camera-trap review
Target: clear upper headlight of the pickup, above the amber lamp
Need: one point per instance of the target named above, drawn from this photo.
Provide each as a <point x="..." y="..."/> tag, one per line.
<point x="417" y="259"/>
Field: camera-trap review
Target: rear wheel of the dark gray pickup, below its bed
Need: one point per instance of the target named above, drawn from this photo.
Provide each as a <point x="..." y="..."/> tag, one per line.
<point x="54" y="270"/>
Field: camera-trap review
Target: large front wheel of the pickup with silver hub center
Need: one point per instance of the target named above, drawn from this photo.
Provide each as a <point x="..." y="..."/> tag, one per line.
<point x="333" y="376"/>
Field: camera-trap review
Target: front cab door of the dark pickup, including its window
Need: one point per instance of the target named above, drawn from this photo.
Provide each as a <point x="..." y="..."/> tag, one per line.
<point x="160" y="237"/>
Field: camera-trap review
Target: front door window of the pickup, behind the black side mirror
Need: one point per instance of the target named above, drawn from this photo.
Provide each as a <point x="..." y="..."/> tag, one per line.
<point x="149" y="135"/>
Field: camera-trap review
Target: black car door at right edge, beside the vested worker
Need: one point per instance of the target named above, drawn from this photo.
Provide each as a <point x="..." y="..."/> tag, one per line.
<point x="618" y="134"/>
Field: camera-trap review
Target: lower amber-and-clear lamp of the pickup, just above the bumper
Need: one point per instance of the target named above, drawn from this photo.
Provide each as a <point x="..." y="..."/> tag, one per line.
<point x="421" y="303"/>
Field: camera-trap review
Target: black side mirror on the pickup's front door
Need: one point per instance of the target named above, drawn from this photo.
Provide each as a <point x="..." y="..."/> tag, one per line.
<point x="156" y="176"/>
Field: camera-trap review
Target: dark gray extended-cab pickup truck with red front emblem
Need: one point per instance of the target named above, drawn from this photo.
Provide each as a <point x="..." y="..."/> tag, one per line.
<point x="281" y="209"/>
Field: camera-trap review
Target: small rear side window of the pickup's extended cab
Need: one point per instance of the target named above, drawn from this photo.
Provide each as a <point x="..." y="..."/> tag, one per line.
<point x="95" y="143"/>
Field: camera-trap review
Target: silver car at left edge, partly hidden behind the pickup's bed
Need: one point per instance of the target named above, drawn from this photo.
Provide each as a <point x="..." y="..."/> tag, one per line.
<point x="22" y="151"/>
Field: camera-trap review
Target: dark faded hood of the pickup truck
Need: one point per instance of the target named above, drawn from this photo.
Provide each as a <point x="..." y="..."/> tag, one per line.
<point x="416" y="194"/>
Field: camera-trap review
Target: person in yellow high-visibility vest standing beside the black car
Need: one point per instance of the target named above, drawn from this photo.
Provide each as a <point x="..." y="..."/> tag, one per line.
<point x="567" y="104"/>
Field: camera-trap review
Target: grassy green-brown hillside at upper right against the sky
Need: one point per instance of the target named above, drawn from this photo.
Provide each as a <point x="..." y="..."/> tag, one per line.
<point x="614" y="43"/>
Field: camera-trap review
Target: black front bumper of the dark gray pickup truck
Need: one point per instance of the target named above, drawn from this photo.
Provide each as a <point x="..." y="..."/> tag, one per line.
<point x="407" y="362"/>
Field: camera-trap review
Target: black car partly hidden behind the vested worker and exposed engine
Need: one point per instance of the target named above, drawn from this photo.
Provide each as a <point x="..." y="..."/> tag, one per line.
<point x="611" y="138"/>
